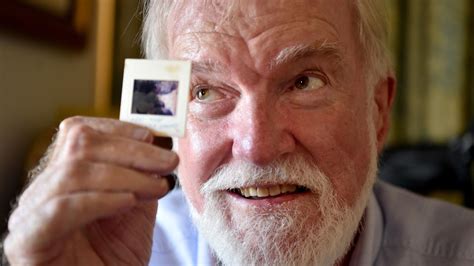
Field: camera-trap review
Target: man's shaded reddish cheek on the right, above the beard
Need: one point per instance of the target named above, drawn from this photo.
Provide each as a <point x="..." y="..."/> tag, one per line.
<point x="340" y="145"/>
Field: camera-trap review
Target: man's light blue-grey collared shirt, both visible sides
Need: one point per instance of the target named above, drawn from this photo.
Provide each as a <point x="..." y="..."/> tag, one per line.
<point x="399" y="228"/>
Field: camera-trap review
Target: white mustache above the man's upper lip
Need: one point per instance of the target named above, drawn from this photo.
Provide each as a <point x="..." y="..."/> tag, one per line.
<point x="295" y="170"/>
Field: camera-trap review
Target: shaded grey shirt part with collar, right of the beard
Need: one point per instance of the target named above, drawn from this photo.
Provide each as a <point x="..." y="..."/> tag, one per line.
<point x="402" y="228"/>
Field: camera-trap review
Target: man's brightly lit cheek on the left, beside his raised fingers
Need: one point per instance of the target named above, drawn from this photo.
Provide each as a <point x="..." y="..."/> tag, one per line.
<point x="201" y="151"/>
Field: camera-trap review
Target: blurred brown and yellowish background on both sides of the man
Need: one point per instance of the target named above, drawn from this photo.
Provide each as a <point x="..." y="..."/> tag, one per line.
<point x="45" y="77"/>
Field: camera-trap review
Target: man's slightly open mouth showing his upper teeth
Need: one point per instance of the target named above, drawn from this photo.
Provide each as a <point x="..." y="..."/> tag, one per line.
<point x="268" y="191"/>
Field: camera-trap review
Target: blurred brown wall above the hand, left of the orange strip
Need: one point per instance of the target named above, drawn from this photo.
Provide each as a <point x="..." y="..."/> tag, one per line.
<point x="37" y="79"/>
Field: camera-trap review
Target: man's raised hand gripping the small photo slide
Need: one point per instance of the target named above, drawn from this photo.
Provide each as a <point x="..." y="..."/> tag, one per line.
<point x="95" y="202"/>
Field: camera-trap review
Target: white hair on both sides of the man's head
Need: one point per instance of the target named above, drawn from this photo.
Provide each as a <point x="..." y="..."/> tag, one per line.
<point x="372" y="25"/>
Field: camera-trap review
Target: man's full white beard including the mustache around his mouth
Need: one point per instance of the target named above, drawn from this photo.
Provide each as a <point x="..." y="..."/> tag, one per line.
<point x="315" y="231"/>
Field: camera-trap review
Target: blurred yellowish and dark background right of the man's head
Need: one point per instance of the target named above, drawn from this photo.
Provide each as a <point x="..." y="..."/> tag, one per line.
<point x="431" y="145"/>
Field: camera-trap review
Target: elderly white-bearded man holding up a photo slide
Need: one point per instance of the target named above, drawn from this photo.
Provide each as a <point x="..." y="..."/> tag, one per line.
<point x="289" y="108"/>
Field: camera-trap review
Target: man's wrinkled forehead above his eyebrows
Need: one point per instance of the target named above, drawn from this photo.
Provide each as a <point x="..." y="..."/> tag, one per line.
<point x="249" y="18"/>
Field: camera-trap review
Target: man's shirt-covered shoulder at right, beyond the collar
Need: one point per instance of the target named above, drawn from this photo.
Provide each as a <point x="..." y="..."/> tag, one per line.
<point x="419" y="230"/>
